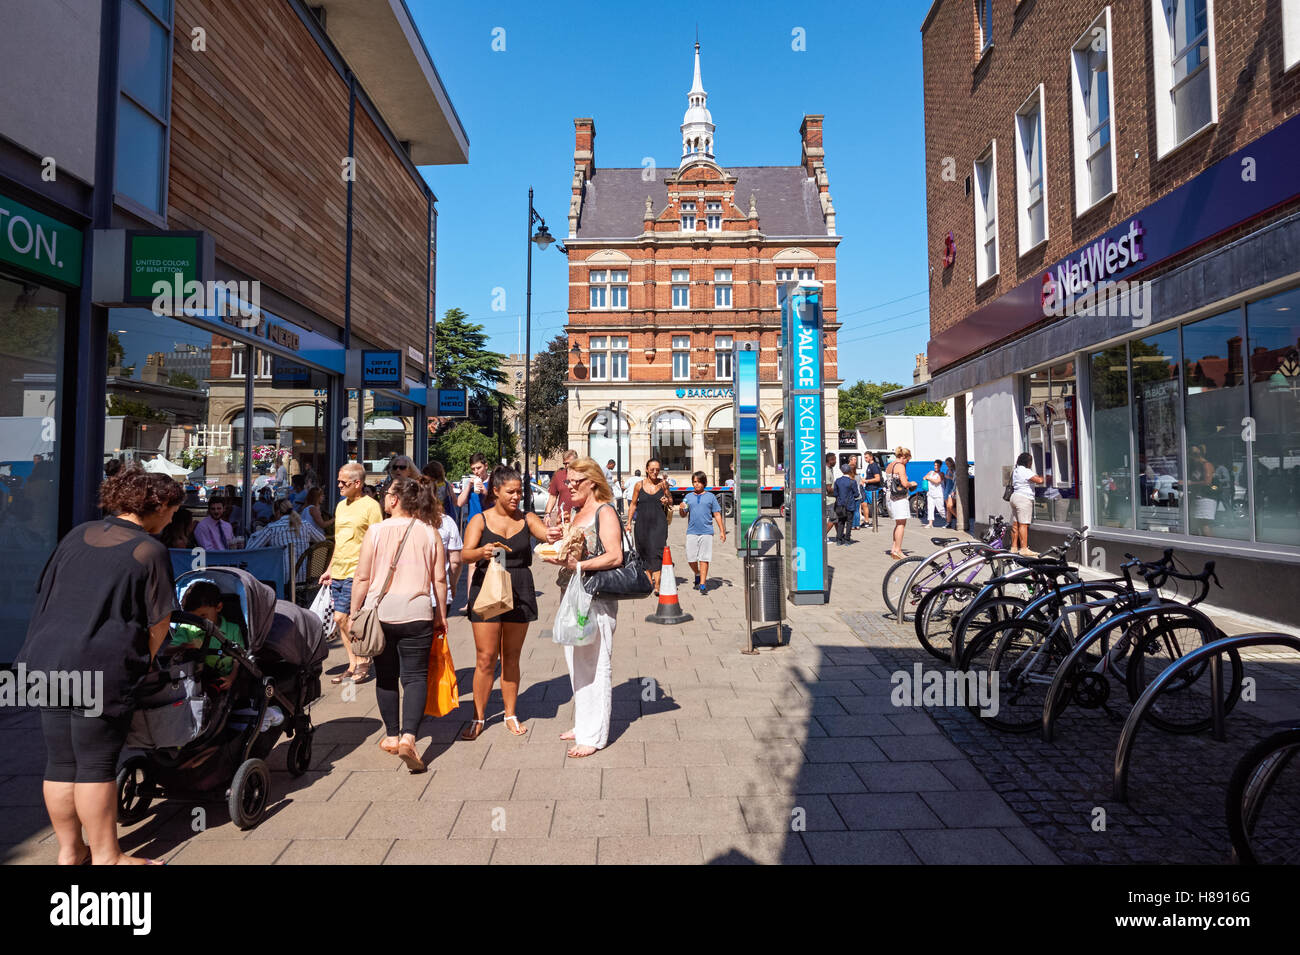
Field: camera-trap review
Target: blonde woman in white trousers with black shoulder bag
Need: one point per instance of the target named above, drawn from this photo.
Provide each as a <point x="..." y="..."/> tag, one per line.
<point x="591" y="666"/>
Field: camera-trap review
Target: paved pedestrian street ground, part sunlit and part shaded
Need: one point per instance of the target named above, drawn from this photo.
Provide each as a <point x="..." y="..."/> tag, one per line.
<point x="796" y="756"/>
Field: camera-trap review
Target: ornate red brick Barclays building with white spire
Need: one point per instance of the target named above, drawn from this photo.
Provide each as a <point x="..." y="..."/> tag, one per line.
<point x="670" y="270"/>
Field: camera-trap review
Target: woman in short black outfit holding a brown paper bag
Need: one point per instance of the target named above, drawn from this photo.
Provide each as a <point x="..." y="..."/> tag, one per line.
<point x="501" y="528"/>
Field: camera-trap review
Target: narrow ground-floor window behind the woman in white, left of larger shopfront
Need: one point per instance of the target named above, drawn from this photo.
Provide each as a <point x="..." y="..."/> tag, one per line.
<point x="1051" y="436"/>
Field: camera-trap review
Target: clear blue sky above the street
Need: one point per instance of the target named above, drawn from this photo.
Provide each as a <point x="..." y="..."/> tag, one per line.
<point x="630" y="67"/>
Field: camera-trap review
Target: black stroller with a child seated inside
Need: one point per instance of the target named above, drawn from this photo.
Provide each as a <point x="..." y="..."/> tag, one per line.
<point x="196" y="741"/>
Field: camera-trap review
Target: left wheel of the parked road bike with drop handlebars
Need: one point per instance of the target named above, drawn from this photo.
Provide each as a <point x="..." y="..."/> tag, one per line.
<point x="1022" y="657"/>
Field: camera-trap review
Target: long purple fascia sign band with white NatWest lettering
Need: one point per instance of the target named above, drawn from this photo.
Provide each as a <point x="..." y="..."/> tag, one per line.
<point x="1237" y="189"/>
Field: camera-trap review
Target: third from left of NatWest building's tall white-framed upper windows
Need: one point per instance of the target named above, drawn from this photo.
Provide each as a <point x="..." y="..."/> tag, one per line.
<point x="1093" y="94"/>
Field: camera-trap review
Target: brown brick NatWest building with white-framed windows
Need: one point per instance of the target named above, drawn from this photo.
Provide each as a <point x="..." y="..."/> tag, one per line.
<point x="1113" y="212"/>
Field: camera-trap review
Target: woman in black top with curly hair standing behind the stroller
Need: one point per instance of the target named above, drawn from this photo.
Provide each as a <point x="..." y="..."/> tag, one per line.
<point x="103" y="607"/>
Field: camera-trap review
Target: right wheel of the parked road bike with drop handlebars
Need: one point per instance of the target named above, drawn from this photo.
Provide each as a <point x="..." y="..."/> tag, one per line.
<point x="1185" y="705"/>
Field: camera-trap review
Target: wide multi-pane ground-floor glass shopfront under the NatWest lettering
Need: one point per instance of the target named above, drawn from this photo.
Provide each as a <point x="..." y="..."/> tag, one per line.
<point x="1197" y="429"/>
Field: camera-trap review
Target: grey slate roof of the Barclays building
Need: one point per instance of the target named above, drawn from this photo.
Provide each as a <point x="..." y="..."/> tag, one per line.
<point x="787" y="199"/>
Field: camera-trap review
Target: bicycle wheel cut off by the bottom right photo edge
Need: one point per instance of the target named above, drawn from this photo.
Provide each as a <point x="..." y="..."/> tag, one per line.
<point x="1264" y="802"/>
